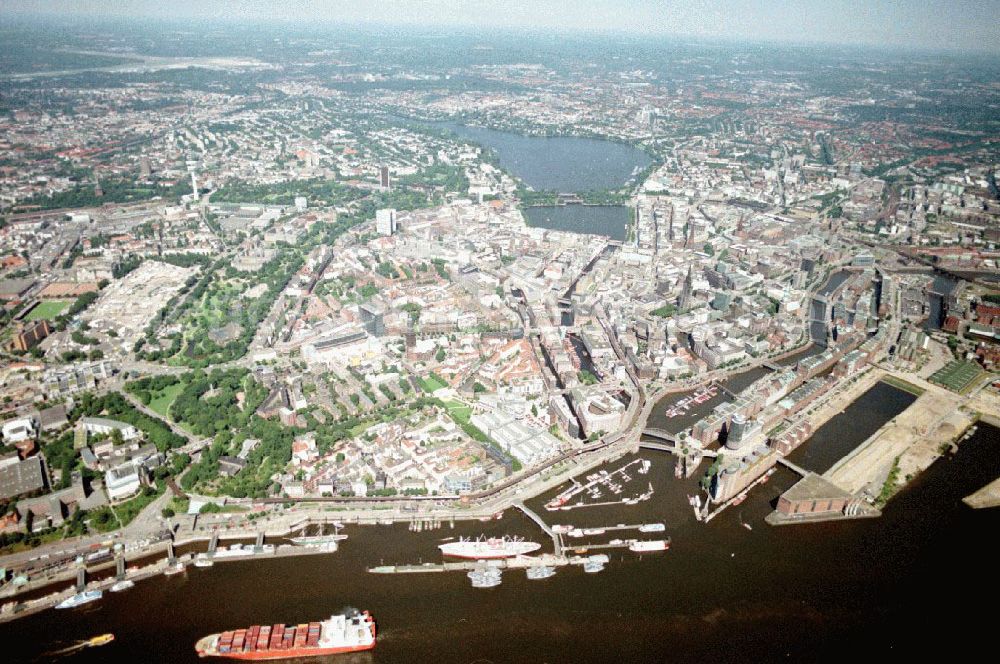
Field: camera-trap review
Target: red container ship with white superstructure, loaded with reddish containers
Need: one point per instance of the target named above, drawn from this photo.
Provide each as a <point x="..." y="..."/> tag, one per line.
<point x="339" y="634"/>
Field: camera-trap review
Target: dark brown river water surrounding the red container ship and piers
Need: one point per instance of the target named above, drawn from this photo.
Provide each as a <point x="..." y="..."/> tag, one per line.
<point x="722" y="592"/>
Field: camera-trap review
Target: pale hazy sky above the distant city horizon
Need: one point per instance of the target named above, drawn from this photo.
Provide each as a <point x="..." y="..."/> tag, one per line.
<point x="960" y="24"/>
